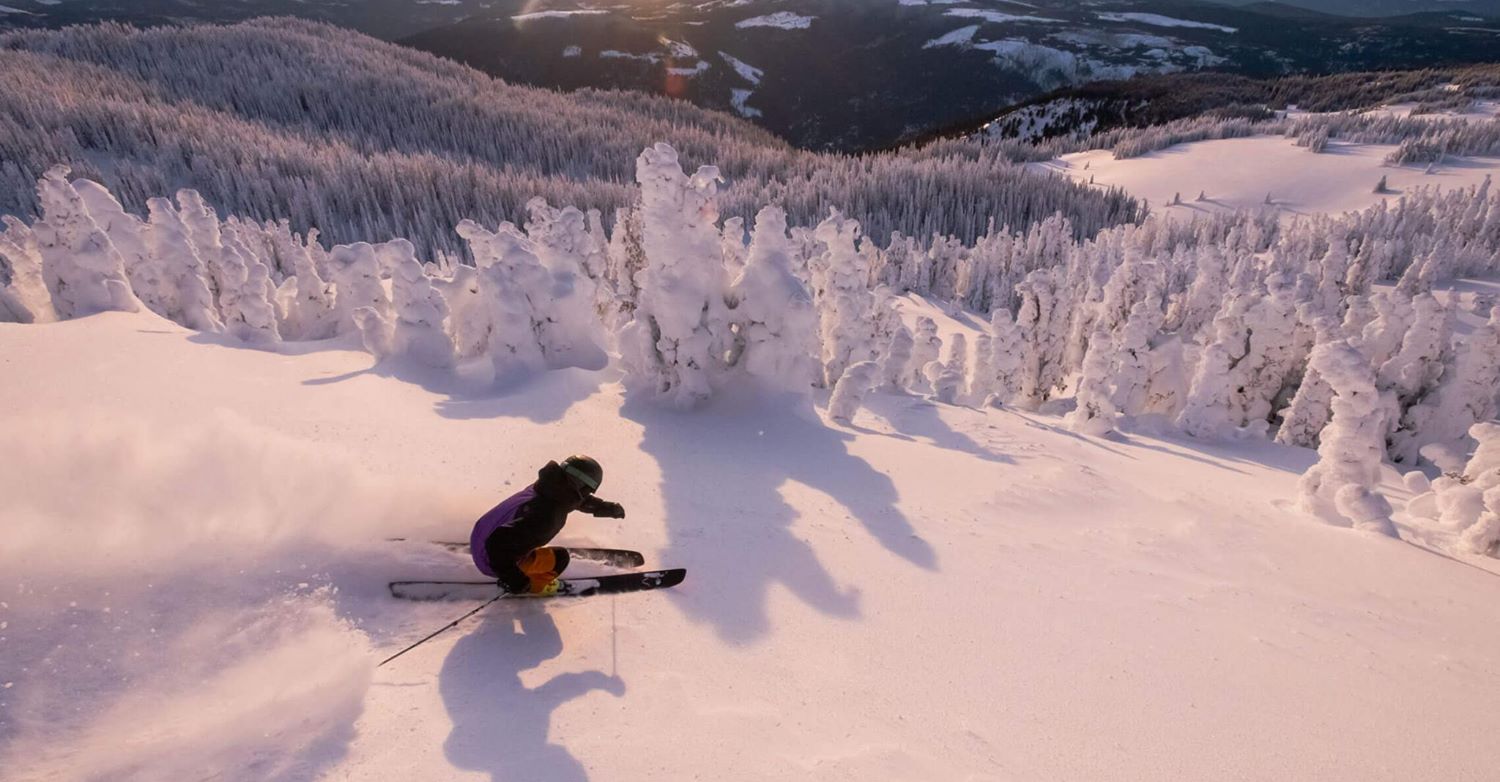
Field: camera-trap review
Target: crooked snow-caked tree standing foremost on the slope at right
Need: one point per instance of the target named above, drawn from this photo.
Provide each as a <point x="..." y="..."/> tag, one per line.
<point x="1343" y="483"/>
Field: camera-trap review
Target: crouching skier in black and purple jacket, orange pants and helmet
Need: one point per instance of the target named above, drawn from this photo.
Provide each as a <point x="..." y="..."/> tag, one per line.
<point x="511" y="543"/>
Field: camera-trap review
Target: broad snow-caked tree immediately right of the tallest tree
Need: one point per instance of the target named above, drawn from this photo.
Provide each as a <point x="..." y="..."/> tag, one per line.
<point x="778" y="326"/>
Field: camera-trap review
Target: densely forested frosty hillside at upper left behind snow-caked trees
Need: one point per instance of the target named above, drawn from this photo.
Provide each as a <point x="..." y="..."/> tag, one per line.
<point x="286" y="119"/>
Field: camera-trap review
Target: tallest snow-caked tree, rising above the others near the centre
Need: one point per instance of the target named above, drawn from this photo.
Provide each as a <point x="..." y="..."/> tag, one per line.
<point x="679" y="338"/>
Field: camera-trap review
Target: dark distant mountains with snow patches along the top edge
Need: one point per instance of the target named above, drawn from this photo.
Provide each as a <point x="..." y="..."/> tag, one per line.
<point x="853" y="74"/>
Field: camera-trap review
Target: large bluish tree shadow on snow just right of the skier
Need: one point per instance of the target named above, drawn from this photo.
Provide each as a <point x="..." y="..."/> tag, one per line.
<point x="722" y="478"/>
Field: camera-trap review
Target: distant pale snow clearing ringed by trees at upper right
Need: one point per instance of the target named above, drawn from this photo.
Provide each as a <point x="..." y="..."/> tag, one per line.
<point x="1240" y="173"/>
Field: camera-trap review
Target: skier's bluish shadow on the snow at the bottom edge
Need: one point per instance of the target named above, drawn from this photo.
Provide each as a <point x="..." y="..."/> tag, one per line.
<point x="500" y="726"/>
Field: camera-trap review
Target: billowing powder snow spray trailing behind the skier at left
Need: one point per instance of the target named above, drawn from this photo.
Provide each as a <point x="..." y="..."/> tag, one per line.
<point x="184" y="589"/>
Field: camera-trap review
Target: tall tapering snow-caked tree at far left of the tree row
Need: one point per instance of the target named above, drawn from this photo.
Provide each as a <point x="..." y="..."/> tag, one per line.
<point x="82" y="266"/>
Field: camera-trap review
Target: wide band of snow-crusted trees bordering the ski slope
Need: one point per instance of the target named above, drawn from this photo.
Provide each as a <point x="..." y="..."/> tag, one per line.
<point x="1210" y="325"/>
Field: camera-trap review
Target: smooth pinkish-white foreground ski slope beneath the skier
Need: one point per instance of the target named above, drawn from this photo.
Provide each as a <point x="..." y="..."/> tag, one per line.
<point x="196" y="558"/>
